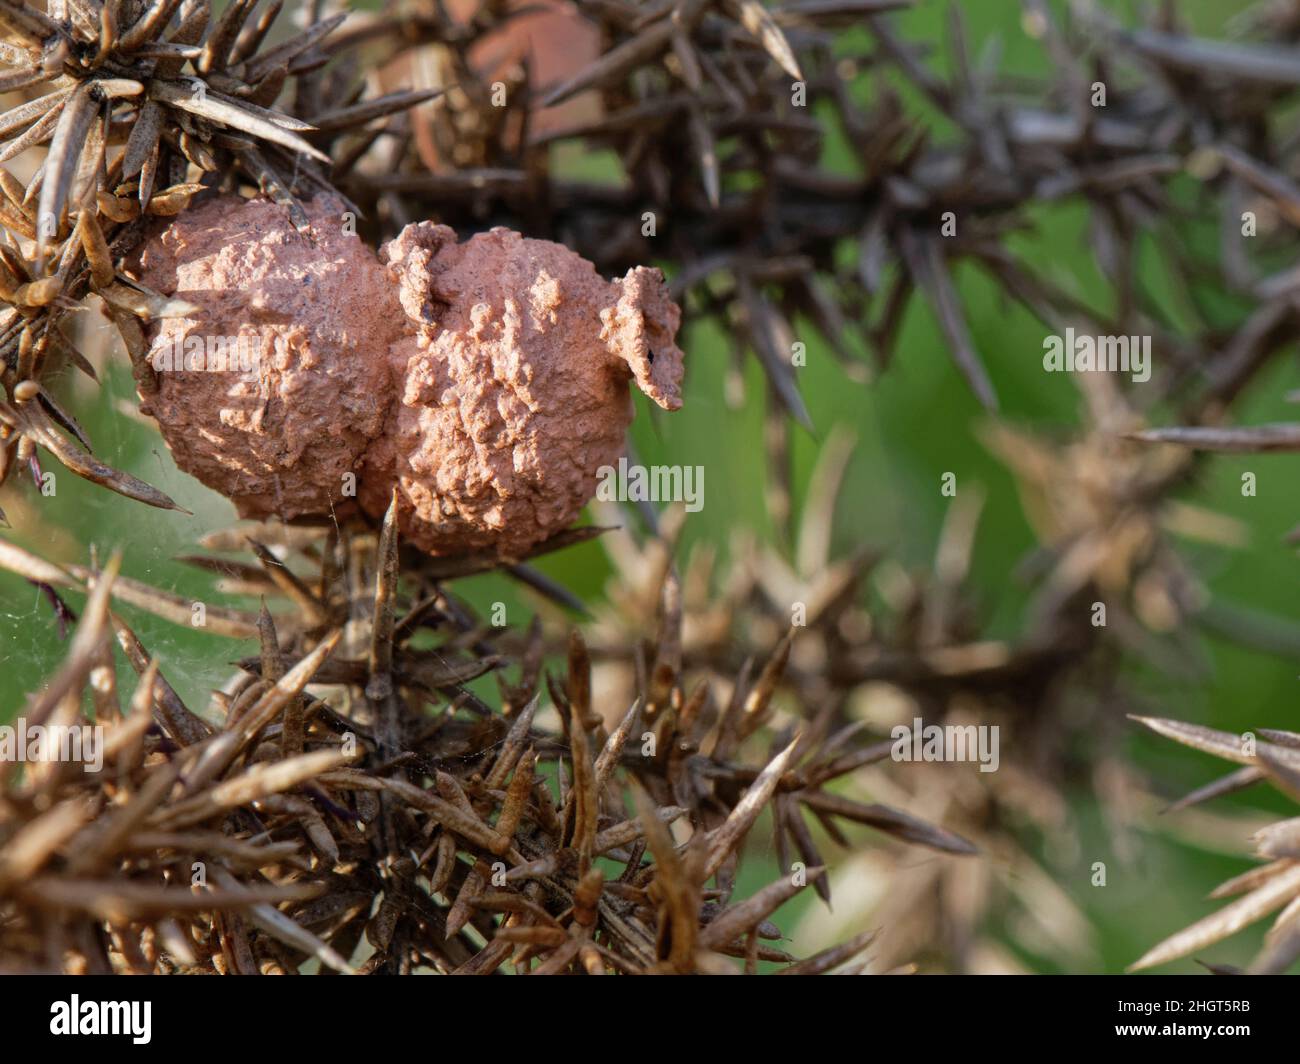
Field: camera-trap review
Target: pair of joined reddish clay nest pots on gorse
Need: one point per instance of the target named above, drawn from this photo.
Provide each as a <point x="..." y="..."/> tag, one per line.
<point x="488" y="380"/>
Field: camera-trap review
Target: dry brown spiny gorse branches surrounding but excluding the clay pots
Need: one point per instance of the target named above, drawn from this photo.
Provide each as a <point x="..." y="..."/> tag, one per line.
<point x="714" y="114"/>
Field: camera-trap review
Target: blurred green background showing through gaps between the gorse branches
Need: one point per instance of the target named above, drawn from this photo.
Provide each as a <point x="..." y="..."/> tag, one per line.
<point x="915" y="423"/>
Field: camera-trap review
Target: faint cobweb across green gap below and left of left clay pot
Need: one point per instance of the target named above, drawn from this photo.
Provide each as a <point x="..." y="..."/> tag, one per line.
<point x="73" y="522"/>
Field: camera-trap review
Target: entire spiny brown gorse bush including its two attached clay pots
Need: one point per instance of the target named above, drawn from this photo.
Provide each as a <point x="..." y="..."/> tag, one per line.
<point x="398" y="780"/>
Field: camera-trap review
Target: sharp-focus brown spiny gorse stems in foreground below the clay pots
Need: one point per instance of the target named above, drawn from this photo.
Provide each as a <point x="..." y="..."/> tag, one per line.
<point x="328" y="806"/>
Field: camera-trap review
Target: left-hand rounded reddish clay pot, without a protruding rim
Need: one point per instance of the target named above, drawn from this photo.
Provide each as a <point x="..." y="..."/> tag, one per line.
<point x="319" y="313"/>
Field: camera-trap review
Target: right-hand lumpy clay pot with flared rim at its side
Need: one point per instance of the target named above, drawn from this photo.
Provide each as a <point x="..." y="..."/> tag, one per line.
<point x="512" y="386"/>
